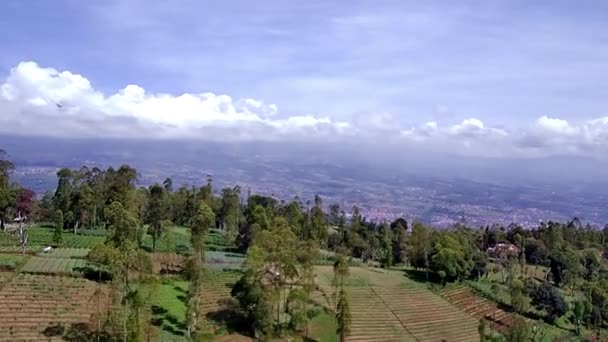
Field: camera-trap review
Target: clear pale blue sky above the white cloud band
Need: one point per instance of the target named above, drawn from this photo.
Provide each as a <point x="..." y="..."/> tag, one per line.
<point x="364" y="63"/>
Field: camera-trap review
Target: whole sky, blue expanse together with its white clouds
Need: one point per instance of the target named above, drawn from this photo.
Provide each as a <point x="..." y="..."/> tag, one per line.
<point x="482" y="78"/>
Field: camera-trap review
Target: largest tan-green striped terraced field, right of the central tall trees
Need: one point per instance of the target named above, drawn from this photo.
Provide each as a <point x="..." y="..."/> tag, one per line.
<point x="386" y="306"/>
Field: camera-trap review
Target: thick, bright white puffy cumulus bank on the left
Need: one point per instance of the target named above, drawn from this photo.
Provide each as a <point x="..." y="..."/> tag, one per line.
<point x="77" y="109"/>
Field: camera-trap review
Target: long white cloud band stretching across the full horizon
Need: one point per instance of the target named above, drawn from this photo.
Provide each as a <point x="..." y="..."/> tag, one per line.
<point x="35" y="100"/>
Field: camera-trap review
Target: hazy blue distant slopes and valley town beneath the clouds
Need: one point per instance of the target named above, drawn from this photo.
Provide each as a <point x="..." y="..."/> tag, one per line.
<point x="436" y="189"/>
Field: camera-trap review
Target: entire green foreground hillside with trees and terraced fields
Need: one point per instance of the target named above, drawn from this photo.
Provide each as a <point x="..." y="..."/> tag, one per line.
<point x="198" y="263"/>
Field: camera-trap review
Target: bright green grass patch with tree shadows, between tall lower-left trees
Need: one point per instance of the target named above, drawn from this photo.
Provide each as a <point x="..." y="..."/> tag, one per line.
<point x="169" y="310"/>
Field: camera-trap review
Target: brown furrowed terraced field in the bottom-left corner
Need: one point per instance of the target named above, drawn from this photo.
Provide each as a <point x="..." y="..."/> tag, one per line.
<point x="32" y="304"/>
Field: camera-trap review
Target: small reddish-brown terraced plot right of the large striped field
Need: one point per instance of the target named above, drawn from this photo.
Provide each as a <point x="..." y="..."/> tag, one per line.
<point x="478" y="307"/>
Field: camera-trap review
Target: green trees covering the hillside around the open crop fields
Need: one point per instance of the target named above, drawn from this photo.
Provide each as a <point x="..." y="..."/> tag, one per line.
<point x="550" y="280"/>
